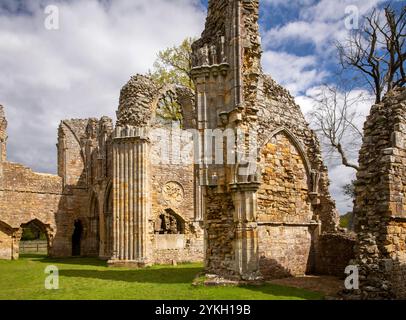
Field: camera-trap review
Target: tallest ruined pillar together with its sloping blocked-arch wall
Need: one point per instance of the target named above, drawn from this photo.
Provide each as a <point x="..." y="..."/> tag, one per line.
<point x="265" y="222"/>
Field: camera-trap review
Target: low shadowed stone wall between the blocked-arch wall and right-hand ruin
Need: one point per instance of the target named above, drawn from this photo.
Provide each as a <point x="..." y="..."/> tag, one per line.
<point x="334" y="252"/>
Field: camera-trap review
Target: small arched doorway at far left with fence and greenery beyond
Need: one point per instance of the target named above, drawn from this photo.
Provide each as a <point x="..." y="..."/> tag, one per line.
<point x="34" y="239"/>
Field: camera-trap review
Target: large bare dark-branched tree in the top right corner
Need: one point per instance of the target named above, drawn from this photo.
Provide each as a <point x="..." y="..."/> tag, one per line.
<point x="377" y="51"/>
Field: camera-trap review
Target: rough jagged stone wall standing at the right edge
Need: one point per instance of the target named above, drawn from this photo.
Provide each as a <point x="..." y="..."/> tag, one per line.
<point x="380" y="206"/>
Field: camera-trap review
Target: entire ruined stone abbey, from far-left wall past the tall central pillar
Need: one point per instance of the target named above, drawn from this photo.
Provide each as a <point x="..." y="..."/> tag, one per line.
<point x="268" y="214"/>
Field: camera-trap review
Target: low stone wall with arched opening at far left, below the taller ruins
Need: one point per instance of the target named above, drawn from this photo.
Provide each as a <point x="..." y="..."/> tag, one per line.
<point x="25" y="196"/>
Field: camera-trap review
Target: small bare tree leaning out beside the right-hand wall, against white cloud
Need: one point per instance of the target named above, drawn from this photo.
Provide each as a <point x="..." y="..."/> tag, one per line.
<point x="334" y="116"/>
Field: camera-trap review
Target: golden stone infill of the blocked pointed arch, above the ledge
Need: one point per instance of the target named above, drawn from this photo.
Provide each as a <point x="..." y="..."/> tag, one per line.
<point x="284" y="193"/>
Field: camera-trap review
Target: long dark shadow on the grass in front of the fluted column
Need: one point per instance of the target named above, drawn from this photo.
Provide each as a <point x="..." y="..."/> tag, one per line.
<point x="161" y="275"/>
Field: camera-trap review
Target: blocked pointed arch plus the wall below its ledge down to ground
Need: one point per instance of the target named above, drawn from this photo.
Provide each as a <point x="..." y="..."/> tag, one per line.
<point x="284" y="209"/>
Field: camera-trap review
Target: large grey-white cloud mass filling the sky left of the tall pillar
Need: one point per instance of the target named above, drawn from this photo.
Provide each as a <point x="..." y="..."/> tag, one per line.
<point x="78" y="70"/>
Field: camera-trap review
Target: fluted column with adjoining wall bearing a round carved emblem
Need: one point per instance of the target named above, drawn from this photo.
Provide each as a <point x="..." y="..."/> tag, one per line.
<point x="156" y="197"/>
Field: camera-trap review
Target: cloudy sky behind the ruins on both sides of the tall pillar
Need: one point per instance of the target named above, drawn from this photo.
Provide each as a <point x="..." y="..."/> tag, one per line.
<point x="77" y="71"/>
